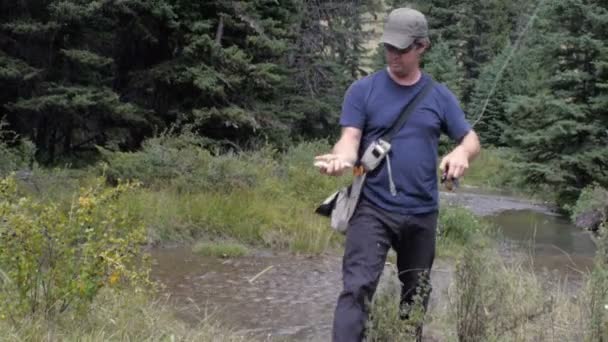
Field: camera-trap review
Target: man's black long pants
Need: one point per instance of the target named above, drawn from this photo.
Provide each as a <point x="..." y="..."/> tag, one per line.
<point x="372" y="231"/>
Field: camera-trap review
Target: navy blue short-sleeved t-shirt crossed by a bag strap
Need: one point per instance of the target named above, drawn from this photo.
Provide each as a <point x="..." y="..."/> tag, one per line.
<point x="372" y="104"/>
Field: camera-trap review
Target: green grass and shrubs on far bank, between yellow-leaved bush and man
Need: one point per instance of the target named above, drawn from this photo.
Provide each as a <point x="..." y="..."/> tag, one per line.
<point x="262" y="198"/>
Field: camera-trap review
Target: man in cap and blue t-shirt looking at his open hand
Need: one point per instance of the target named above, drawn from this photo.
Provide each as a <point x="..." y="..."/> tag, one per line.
<point x="397" y="209"/>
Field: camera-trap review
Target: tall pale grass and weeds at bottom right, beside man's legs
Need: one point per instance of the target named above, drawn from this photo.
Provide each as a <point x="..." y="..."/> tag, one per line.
<point x="493" y="299"/>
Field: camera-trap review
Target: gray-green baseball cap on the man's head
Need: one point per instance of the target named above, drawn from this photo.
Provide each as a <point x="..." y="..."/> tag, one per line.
<point x="403" y="26"/>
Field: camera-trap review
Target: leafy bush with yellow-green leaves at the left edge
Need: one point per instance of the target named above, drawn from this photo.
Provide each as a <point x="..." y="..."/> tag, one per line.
<point x="53" y="259"/>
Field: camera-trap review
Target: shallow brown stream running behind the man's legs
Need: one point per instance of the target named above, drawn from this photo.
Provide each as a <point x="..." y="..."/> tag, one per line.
<point x="294" y="298"/>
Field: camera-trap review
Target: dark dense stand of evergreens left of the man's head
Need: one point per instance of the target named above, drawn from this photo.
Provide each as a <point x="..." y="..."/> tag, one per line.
<point x="78" y="73"/>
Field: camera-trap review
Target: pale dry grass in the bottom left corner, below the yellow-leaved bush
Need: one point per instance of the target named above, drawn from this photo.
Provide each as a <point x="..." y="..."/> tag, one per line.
<point x="118" y="317"/>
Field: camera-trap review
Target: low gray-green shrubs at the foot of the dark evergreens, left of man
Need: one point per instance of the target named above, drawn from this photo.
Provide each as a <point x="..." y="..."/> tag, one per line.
<point x="180" y="163"/>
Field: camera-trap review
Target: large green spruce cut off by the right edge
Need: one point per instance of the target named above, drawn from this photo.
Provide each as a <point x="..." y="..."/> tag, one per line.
<point x="560" y="131"/>
